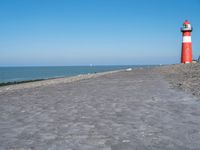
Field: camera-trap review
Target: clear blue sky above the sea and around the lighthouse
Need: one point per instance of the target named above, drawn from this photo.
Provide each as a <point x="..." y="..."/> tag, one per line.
<point x="101" y="32"/>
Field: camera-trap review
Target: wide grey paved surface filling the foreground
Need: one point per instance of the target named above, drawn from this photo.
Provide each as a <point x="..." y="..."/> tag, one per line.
<point x="135" y="110"/>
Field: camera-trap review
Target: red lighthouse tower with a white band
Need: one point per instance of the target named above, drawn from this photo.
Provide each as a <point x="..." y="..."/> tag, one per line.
<point x="186" y="54"/>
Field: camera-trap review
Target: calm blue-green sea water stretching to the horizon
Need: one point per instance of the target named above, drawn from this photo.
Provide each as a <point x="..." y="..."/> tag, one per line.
<point x="19" y="74"/>
